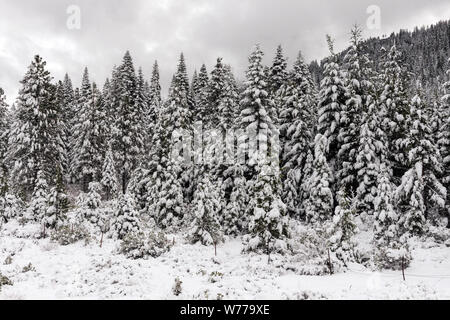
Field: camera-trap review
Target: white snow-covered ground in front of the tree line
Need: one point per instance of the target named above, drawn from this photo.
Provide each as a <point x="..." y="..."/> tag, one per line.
<point x="86" y="271"/>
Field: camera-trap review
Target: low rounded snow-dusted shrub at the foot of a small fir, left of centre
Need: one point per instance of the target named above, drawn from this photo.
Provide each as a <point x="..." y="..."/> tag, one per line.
<point x="140" y="245"/>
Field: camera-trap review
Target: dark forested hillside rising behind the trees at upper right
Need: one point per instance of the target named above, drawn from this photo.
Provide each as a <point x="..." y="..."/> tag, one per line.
<point x="426" y="51"/>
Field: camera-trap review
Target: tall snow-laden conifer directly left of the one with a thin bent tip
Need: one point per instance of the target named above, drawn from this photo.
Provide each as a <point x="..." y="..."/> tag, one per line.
<point x="296" y="98"/>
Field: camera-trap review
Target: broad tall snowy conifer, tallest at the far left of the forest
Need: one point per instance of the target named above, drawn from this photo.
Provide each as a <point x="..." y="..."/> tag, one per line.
<point x="34" y="140"/>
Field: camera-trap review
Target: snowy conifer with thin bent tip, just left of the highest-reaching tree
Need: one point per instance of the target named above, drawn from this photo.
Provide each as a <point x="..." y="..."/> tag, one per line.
<point x="331" y="102"/>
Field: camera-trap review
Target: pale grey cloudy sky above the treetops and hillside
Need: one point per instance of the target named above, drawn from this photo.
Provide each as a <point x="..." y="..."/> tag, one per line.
<point x="202" y="29"/>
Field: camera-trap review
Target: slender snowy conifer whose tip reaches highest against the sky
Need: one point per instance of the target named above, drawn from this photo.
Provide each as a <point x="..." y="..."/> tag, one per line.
<point x="359" y="94"/>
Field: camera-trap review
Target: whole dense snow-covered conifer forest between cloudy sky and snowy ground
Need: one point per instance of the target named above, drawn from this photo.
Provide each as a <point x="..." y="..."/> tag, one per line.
<point x="359" y="146"/>
